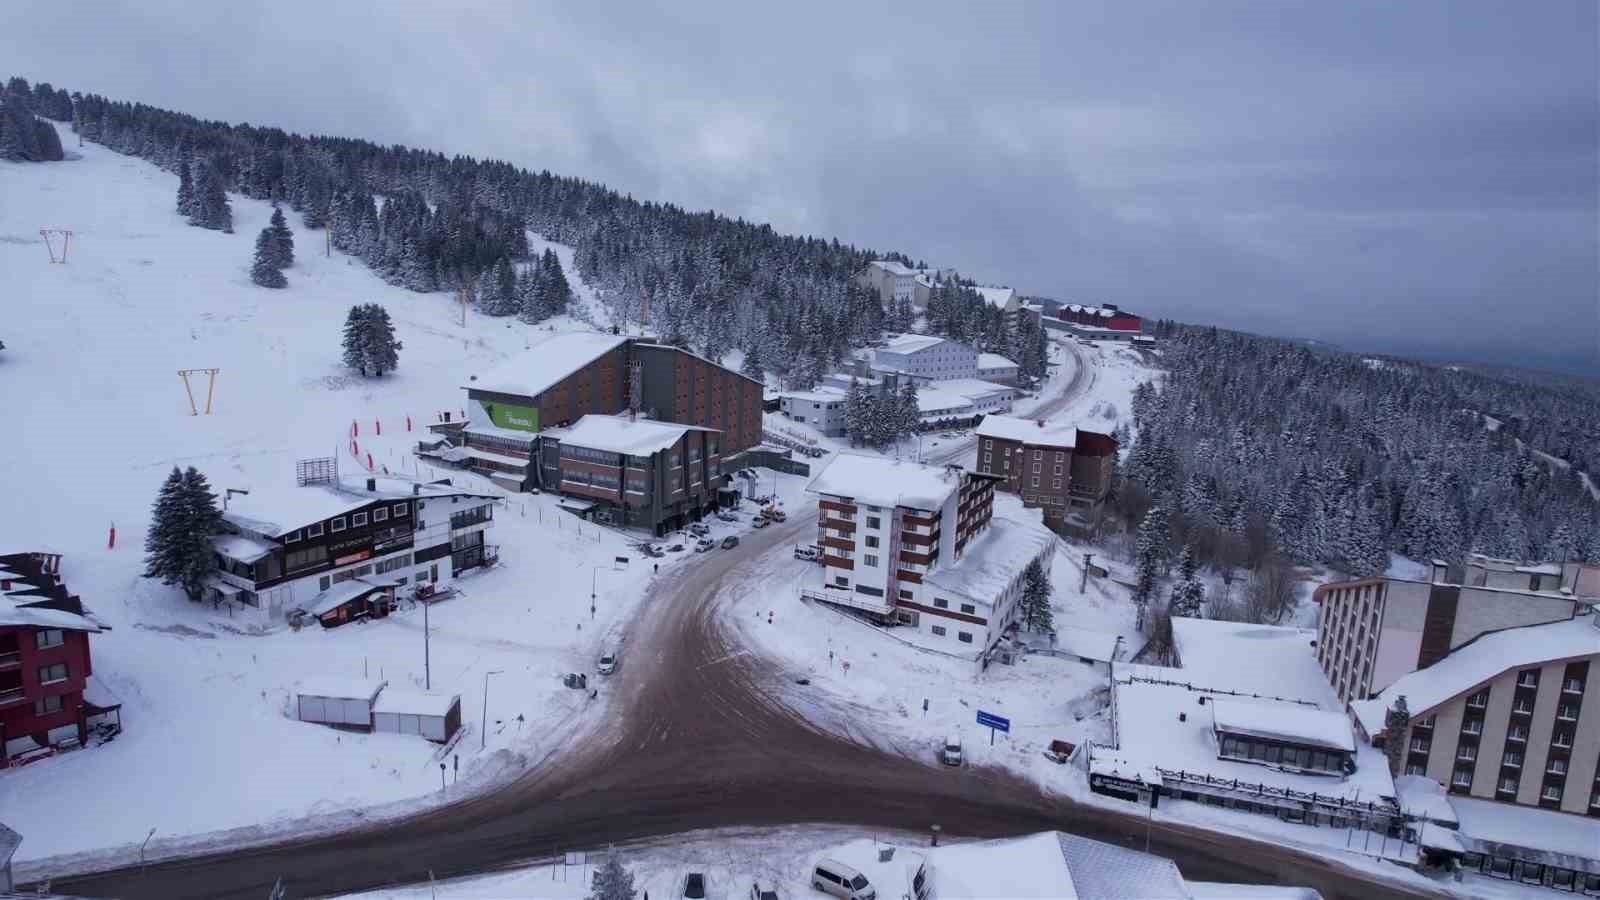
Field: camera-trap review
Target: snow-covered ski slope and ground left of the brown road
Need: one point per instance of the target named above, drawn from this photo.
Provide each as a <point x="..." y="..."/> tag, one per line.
<point x="206" y="694"/>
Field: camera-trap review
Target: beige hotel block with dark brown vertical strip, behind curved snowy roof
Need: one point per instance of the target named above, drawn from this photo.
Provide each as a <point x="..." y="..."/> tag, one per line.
<point x="1374" y="632"/>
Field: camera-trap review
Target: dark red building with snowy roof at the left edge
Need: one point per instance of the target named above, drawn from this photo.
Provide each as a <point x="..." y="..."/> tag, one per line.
<point x="44" y="657"/>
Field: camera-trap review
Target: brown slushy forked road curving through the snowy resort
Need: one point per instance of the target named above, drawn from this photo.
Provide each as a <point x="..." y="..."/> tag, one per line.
<point x="697" y="736"/>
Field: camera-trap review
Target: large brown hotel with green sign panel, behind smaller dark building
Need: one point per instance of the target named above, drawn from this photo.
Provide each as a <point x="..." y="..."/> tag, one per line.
<point x="572" y="376"/>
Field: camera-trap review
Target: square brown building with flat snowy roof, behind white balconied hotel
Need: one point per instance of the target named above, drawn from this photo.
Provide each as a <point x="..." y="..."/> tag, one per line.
<point x="1063" y="470"/>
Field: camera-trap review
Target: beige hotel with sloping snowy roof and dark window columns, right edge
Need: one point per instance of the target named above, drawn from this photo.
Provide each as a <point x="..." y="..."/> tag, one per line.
<point x="1508" y="718"/>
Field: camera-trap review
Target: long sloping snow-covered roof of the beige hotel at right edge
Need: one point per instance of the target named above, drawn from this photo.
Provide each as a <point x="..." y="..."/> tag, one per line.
<point x="1478" y="662"/>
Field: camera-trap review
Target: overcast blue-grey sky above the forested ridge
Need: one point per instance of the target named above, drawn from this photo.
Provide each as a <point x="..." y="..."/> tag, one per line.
<point x="1398" y="177"/>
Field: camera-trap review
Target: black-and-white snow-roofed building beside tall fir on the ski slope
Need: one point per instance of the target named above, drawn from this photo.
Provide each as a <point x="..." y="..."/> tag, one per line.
<point x="287" y="547"/>
